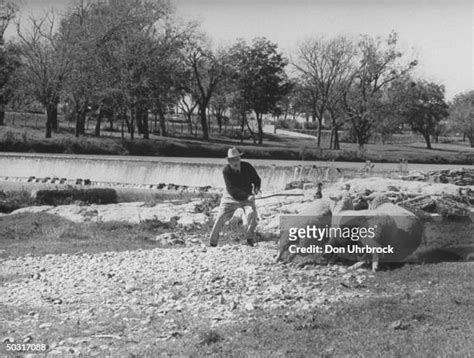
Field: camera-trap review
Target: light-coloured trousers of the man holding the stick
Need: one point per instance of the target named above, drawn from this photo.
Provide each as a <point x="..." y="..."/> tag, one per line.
<point x="227" y="208"/>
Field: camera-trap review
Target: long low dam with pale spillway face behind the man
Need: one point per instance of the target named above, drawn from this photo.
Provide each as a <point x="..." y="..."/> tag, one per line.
<point x="194" y="172"/>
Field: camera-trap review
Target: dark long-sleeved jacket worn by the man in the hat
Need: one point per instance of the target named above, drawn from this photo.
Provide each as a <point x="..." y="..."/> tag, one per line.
<point x="239" y="184"/>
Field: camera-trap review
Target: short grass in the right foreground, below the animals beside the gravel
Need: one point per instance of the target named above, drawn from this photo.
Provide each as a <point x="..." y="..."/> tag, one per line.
<point x="421" y="311"/>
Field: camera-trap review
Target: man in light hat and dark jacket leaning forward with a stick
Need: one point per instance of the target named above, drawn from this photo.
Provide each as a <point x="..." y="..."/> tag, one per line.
<point x="242" y="183"/>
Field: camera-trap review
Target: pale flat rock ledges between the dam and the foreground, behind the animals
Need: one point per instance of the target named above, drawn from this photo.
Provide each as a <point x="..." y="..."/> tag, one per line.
<point x="189" y="213"/>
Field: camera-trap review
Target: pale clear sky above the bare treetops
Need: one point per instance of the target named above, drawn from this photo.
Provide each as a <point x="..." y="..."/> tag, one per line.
<point x="439" y="33"/>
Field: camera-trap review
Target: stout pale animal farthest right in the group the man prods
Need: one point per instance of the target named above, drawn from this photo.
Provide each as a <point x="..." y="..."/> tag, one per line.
<point x="393" y="226"/>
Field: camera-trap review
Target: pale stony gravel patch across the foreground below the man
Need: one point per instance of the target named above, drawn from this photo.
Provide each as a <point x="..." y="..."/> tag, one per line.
<point x="222" y="285"/>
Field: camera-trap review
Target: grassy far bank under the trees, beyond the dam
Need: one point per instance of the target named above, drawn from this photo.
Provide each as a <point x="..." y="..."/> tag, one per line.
<point x="24" y="137"/>
